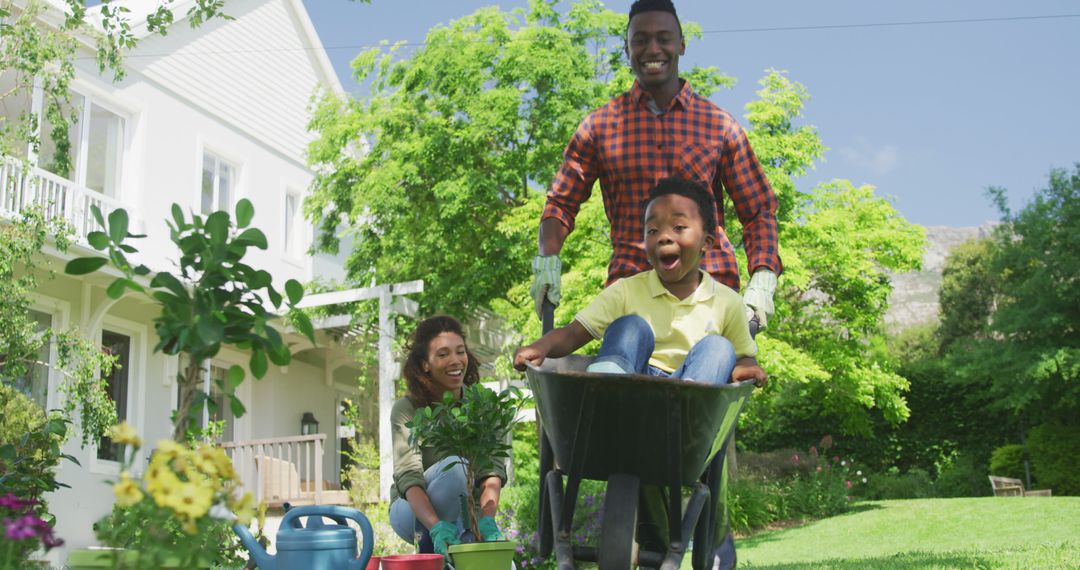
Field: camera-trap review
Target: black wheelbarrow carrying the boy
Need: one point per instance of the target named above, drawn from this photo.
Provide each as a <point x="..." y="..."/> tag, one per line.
<point x="630" y="431"/>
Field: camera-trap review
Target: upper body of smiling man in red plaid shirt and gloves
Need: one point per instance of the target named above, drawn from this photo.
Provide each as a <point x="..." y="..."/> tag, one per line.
<point x="661" y="129"/>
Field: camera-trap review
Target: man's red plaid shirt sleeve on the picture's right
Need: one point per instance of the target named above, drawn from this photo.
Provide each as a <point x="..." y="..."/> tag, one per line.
<point x="753" y="198"/>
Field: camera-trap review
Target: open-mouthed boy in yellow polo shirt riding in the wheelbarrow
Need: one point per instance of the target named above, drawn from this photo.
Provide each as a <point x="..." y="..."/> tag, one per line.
<point x="672" y="321"/>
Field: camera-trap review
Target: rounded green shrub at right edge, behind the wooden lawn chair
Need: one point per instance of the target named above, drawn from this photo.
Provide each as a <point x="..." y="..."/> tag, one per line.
<point x="1055" y="450"/>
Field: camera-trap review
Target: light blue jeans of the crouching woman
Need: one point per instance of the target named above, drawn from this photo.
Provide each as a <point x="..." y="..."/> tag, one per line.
<point x="444" y="491"/>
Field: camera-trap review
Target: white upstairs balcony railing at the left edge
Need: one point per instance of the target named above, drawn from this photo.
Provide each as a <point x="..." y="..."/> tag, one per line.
<point x="22" y="187"/>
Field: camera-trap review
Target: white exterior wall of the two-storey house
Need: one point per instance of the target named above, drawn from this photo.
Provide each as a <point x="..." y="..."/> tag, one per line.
<point x="252" y="112"/>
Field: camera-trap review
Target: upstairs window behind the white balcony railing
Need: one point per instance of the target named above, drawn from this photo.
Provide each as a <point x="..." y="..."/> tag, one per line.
<point x="96" y="147"/>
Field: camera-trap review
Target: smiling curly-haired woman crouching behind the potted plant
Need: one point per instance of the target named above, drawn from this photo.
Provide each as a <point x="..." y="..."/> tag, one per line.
<point x="426" y="498"/>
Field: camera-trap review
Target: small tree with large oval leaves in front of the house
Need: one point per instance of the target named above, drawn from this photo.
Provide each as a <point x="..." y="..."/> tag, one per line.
<point x="214" y="300"/>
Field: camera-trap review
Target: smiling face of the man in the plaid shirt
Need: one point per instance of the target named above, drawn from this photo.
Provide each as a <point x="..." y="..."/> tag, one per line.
<point x="654" y="45"/>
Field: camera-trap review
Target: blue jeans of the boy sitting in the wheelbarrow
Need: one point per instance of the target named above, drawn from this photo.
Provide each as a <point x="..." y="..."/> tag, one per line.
<point x="629" y="343"/>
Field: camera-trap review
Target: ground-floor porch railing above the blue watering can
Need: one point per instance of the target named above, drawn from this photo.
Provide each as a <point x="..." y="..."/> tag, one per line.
<point x="280" y="470"/>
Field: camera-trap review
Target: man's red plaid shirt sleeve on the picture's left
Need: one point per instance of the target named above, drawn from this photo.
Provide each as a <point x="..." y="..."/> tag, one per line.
<point x="574" y="183"/>
